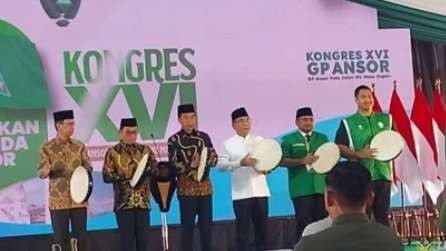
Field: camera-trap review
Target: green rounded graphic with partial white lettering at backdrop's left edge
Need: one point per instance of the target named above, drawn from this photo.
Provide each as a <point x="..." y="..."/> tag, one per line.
<point x="23" y="125"/>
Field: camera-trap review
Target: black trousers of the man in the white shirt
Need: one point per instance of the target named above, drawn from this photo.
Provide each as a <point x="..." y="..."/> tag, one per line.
<point x="247" y="210"/>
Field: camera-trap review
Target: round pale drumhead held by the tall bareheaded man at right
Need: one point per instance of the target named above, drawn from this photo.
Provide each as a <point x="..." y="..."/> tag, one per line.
<point x="389" y="145"/>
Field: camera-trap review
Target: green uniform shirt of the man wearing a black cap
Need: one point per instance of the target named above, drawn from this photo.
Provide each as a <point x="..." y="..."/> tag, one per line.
<point x="302" y="182"/>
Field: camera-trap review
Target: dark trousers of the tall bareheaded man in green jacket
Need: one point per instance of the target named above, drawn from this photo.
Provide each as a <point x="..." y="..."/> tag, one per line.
<point x="381" y="201"/>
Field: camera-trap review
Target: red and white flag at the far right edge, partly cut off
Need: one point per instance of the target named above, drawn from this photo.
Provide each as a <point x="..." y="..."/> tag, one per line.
<point x="439" y="127"/>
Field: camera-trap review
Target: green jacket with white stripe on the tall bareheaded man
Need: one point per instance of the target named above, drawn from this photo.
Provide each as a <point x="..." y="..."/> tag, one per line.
<point x="357" y="131"/>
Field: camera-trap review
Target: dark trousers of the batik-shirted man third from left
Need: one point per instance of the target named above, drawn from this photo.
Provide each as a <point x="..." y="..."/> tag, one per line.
<point x="190" y="207"/>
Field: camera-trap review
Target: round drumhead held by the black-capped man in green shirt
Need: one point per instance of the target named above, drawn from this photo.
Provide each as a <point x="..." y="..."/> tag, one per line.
<point x="329" y="155"/>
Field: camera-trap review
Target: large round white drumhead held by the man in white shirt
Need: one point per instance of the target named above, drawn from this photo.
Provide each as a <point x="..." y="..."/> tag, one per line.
<point x="268" y="154"/>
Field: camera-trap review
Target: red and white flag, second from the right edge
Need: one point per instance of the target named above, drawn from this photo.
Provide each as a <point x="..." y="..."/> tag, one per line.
<point x="425" y="146"/>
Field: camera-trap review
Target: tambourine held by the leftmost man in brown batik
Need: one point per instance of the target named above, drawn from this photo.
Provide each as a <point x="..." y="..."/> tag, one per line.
<point x="81" y="184"/>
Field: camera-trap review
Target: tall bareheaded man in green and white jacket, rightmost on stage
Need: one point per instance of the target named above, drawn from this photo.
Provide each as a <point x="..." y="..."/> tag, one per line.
<point x="353" y="138"/>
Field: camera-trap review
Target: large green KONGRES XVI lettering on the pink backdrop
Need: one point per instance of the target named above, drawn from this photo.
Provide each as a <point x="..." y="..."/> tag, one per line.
<point x="171" y="69"/>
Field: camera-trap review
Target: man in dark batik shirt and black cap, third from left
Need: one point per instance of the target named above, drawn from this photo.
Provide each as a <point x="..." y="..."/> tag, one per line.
<point x="192" y="154"/>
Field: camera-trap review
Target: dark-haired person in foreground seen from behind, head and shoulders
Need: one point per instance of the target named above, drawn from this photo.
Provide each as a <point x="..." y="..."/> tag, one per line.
<point x="347" y="196"/>
